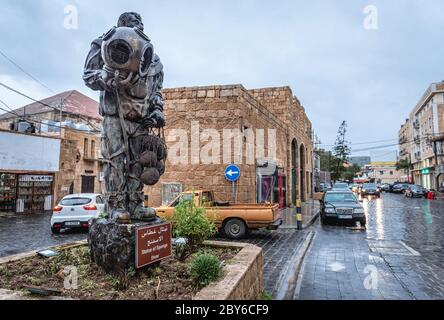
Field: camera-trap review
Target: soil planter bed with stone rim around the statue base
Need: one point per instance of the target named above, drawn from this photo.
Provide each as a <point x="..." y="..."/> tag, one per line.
<point x="168" y="281"/>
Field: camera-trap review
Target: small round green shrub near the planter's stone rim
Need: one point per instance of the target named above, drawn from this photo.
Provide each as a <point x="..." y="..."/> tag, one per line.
<point x="204" y="269"/>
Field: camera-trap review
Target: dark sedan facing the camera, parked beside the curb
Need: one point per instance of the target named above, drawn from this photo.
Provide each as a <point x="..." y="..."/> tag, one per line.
<point x="341" y="206"/>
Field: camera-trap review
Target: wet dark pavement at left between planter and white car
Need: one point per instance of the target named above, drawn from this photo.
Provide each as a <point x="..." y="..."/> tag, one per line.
<point x="32" y="232"/>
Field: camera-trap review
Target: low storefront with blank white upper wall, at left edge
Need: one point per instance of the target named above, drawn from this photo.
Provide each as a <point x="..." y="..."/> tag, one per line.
<point x="27" y="167"/>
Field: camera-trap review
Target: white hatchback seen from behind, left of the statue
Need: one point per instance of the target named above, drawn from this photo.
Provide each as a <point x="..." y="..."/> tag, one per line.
<point x="75" y="211"/>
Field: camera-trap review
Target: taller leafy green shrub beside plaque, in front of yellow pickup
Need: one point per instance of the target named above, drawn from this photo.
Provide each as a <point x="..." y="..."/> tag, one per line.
<point x="192" y="223"/>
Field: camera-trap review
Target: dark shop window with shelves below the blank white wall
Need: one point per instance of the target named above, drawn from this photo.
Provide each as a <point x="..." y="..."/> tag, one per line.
<point x="26" y="193"/>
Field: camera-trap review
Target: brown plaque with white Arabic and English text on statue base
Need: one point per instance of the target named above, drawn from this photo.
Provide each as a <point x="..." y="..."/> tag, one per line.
<point x="153" y="244"/>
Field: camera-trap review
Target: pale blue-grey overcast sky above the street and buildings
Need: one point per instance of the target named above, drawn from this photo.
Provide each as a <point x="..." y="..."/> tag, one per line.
<point x="337" y="68"/>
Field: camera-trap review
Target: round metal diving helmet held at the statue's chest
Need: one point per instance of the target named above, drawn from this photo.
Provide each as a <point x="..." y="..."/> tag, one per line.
<point x="127" y="50"/>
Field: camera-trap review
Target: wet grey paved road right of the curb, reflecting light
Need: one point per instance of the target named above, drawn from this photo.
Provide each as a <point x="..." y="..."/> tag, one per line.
<point x="399" y="256"/>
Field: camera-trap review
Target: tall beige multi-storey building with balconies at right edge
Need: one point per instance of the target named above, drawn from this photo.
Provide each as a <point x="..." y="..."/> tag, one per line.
<point x="416" y="136"/>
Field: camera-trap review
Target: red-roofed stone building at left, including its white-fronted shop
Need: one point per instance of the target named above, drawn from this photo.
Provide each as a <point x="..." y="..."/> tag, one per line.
<point x="28" y="181"/>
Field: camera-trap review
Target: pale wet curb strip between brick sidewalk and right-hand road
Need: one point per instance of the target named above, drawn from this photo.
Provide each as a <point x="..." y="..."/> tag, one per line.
<point x="287" y="283"/>
